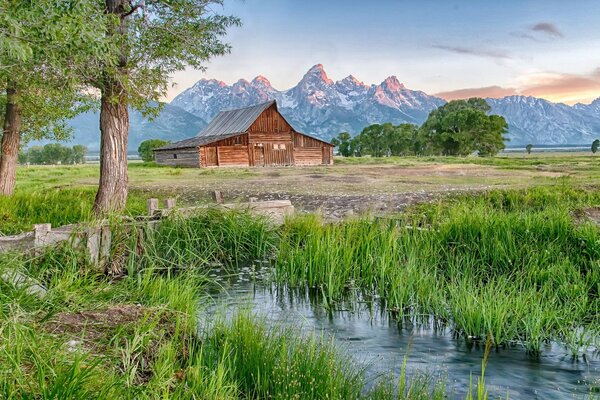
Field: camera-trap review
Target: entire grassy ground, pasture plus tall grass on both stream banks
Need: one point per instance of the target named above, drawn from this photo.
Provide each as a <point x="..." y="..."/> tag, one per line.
<point x="503" y="252"/>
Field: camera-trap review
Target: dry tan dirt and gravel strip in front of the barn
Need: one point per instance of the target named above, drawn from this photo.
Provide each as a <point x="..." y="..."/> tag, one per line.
<point x="343" y="190"/>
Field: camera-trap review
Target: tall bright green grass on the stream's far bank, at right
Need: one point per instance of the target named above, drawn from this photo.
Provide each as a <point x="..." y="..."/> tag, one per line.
<point x="514" y="267"/>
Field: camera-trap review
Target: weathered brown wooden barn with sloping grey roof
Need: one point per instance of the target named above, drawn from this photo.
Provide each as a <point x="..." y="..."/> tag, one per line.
<point x="251" y="136"/>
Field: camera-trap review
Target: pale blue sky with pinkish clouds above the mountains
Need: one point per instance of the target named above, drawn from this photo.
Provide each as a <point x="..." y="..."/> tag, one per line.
<point x="453" y="49"/>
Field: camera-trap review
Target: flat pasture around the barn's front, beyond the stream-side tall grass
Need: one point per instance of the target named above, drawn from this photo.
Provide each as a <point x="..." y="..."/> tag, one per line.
<point x="351" y="186"/>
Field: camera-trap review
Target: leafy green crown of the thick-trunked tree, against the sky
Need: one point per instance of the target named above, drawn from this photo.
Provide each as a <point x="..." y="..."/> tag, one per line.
<point x="160" y="38"/>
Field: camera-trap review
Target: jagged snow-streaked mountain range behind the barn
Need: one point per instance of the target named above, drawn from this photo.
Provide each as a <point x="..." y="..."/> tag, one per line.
<point x="322" y="107"/>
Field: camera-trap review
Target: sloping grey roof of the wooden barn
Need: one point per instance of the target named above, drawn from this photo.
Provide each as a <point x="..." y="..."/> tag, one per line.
<point x="226" y="124"/>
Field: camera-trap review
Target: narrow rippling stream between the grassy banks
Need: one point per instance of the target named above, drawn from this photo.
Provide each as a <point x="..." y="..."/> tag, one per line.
<point x="380" y="342"/>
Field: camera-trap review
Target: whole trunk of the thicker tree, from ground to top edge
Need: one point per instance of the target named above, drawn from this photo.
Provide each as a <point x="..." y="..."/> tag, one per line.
<point x="114" y="124"/>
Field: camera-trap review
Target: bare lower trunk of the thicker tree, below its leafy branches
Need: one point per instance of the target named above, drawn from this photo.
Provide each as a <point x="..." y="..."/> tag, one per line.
<point x="114" y="128"/>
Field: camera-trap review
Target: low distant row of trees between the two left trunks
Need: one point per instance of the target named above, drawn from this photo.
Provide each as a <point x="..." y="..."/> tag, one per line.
<point x="53" y="153"/>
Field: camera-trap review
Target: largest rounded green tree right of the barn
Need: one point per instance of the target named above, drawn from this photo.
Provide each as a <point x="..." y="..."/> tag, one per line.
<point x="462" y="127"/>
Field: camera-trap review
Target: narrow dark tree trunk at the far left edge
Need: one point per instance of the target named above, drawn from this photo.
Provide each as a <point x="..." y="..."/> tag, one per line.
<point x="11" y="139"/>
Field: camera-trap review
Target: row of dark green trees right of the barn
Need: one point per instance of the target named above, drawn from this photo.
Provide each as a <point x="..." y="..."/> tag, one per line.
<point x="458" y="128"/>
